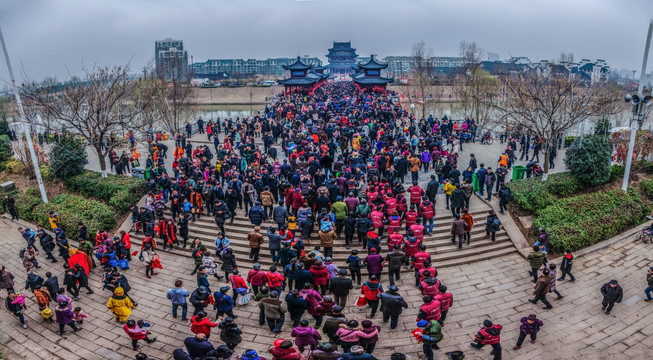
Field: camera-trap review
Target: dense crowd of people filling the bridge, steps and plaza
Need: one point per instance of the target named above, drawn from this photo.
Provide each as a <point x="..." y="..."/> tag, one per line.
<point x="343" y="175"/>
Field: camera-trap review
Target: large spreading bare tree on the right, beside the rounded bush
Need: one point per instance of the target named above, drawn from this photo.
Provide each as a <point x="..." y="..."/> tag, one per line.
<point x="548" y="105"/>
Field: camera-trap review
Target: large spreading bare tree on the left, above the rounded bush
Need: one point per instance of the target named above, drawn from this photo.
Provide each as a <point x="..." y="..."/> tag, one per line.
<point x="93" y="106"/>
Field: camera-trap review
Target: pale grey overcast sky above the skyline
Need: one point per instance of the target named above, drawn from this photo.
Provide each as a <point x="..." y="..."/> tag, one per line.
<point x="53" y="37"/>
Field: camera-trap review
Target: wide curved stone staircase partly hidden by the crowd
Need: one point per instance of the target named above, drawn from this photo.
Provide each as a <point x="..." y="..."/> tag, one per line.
<point x="443" y="252"/>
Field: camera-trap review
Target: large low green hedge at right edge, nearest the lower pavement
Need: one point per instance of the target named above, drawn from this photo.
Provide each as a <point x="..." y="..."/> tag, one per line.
<point x="580" y="221"/>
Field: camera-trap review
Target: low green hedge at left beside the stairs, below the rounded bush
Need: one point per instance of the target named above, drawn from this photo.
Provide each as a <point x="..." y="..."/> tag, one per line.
<point x="118" y="191"/>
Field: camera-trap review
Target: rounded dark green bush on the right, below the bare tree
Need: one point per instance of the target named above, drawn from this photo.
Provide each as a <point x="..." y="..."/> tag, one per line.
<point x="589" y="160"/>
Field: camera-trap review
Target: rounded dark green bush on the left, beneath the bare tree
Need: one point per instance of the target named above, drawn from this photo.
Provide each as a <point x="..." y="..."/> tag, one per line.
<point x="67" y="158"/>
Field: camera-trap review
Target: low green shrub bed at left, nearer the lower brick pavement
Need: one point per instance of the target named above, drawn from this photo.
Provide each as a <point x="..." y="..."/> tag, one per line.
<point x="74" y="209"/>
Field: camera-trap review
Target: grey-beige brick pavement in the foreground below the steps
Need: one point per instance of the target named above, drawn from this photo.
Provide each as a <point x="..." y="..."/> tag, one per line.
<point x="497" y="289"/>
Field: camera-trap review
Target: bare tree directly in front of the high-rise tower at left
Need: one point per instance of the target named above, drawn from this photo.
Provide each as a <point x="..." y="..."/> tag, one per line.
<point x="178" y="96"/>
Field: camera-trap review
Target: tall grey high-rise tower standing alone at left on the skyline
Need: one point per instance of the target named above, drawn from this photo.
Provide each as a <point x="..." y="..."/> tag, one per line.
<point x="170" y="58"/>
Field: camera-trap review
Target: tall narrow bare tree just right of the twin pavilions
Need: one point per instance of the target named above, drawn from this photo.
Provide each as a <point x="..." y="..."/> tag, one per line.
<point x="423" y="73"/>
